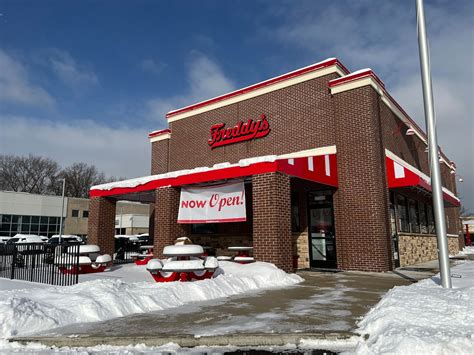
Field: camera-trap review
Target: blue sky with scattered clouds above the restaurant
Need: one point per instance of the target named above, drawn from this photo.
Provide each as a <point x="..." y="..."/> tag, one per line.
<point x="85" y="81"/>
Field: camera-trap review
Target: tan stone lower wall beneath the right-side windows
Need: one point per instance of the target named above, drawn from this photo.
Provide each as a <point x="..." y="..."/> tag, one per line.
<point x="419" y="248"/>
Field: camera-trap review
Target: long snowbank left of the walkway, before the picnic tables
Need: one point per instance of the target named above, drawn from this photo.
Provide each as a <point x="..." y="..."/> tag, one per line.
<point x="28" y="311"/>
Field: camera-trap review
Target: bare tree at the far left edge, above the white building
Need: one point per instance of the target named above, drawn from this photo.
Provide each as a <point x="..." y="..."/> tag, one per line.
<point x="31" y="174"/>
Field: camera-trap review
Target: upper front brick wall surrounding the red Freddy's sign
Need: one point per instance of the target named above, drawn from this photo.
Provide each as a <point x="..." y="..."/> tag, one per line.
<point x="300" y="117"/>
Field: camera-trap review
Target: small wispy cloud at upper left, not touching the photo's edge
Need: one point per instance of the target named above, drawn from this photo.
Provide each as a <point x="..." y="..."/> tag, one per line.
<point x="69" y="72"/>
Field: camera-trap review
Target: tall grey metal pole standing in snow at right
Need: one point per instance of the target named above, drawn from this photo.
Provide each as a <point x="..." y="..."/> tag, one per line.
<point x="436" y="183"/>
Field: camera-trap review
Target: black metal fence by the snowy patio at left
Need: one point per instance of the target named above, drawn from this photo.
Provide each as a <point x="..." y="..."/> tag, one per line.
<point x="43" y="263"/>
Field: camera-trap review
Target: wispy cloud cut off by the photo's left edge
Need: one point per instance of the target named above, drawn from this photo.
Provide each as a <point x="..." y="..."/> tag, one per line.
<point x="16" y="87"/>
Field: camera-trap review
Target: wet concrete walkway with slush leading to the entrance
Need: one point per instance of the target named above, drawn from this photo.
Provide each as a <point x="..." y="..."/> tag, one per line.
<point x="324" y="303"/>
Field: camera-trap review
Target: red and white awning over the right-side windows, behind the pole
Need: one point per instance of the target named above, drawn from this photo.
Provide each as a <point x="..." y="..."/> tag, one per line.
<point x="402" y="174"/>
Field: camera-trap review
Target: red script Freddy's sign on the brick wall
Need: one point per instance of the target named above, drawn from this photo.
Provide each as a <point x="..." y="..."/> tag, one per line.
<point x="240" y="132"/>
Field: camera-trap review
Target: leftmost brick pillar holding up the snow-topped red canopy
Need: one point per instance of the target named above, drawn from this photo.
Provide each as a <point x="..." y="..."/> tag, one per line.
<point x="101" y="224"/>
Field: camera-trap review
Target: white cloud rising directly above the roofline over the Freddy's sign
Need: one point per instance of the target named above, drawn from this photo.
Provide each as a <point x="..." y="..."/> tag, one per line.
<point x="205" y="80"/>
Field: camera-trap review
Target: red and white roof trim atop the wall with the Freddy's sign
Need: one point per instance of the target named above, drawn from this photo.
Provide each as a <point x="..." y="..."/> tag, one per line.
<point x="262" y="84"/>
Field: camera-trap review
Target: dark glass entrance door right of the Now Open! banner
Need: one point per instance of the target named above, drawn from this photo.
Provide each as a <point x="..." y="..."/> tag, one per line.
<point x="322" y="241"/>
